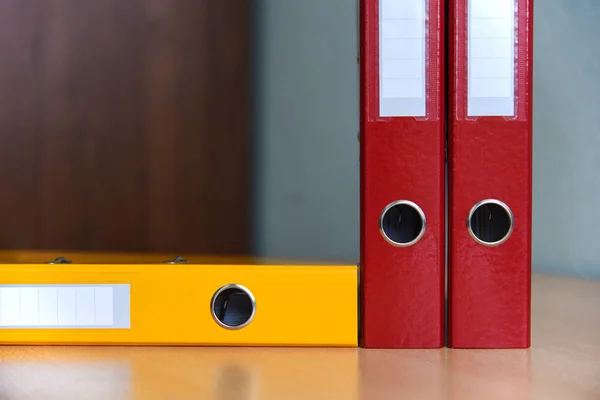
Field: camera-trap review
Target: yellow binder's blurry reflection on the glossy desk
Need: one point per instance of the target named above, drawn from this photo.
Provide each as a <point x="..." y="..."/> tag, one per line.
<point x="178" y="373"/>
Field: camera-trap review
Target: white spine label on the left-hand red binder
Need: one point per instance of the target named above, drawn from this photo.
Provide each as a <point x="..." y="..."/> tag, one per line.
<point x="402" y="74"/>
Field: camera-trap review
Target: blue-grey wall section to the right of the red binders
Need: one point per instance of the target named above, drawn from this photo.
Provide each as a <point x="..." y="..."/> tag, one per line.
<point x="566" y="207"/>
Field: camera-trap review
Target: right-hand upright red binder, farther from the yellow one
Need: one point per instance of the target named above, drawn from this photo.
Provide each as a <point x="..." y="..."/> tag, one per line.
<point x="490" y="155"/>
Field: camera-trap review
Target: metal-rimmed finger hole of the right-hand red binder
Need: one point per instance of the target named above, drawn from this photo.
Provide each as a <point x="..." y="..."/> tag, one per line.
<point x="490" y="222"/>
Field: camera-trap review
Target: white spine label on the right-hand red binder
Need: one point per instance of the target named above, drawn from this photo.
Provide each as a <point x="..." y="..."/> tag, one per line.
<point x="491" y="64"/>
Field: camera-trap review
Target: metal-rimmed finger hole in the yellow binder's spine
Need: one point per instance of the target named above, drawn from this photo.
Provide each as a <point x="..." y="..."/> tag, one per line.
<point x="233" y="306"/>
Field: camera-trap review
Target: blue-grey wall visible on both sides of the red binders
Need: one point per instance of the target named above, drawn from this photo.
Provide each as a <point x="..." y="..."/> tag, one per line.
<point x="307" y="196"/>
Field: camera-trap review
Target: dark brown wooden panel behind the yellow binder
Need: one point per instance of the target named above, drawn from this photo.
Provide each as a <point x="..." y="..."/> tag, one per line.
<point x="125" y="125"/>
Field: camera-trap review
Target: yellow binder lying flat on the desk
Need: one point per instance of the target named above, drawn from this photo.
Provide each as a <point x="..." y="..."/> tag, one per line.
<point x="179" y="304"/>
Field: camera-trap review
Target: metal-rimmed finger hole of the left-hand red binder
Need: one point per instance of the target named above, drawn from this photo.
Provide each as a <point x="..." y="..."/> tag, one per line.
<point x="402" y="223"/>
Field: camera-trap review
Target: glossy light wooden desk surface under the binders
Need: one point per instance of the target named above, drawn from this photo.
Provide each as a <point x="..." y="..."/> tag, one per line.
<point x="564" y="363"/>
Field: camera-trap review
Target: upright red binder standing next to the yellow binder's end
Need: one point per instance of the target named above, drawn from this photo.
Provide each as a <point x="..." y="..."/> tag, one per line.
<point x="402" y="174"/>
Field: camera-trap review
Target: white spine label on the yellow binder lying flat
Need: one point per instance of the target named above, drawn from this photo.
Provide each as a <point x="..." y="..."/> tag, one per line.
<point x="64" y="306"/>
